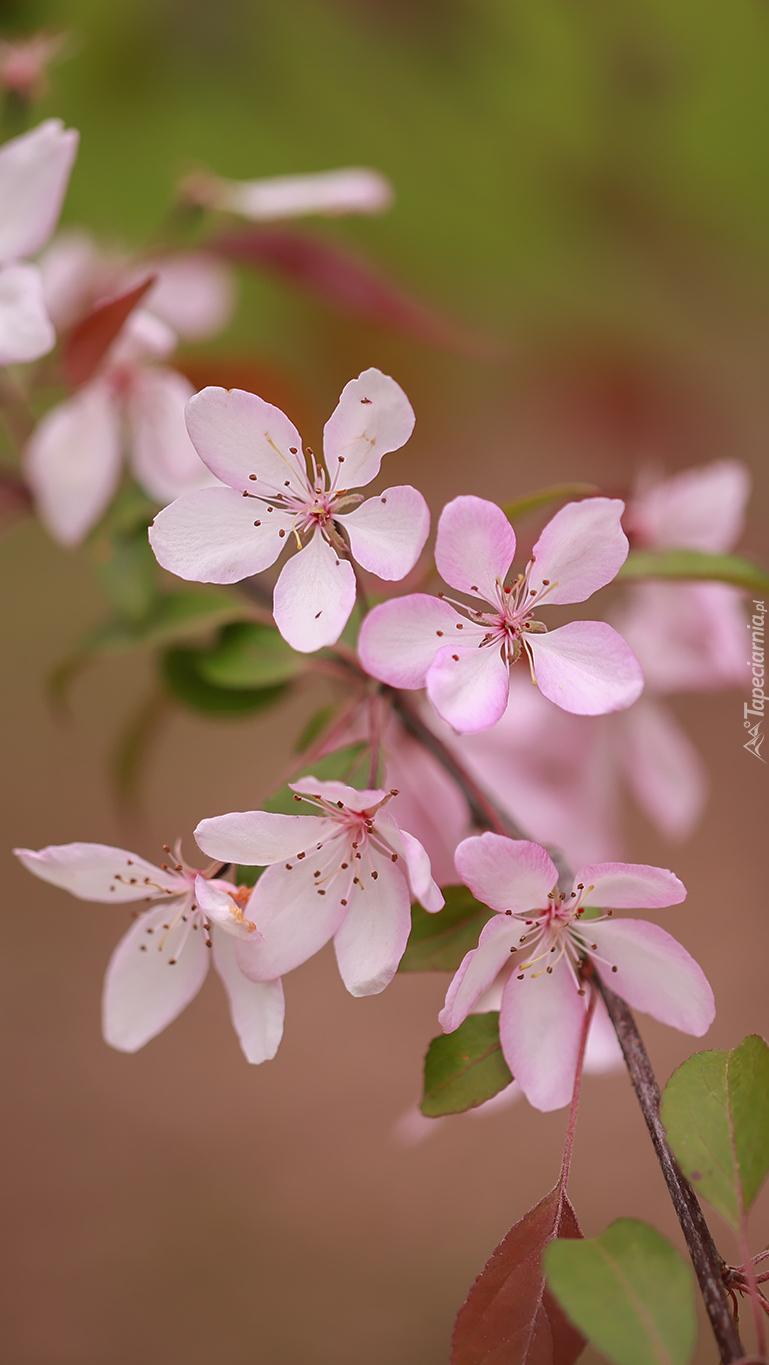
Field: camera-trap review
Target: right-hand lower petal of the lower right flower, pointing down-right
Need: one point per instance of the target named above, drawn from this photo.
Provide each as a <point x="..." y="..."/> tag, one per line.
<point x="655" y="974"/>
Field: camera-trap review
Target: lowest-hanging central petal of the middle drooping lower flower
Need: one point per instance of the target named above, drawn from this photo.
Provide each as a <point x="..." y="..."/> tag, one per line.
<point x="372" y="938"/>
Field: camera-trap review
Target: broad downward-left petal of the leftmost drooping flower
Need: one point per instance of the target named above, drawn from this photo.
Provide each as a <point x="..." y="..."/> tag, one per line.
<point x="151" y="979"/>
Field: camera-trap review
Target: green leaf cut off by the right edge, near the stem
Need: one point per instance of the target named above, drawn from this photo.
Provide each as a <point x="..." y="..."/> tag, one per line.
<point x="716" y="1115"/>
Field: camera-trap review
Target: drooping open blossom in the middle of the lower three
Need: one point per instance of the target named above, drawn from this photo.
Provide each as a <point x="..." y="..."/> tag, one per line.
<point x="349" y="874"/>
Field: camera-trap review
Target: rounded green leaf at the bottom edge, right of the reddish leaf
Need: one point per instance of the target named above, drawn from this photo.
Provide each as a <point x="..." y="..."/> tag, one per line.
<point x="629" y="1292"/>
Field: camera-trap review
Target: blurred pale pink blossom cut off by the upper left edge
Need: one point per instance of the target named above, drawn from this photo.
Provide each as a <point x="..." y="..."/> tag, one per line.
<point x="35" y="171"/>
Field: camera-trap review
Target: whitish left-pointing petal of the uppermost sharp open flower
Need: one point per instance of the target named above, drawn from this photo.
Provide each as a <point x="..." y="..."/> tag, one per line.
<point x="211" y="537"/>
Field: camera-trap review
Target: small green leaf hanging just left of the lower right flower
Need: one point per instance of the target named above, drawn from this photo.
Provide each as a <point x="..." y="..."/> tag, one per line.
<point x="466" y="1068"/>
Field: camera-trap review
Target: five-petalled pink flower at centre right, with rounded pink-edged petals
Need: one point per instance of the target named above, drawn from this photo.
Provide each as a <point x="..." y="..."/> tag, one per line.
<point x="464" y="655"/>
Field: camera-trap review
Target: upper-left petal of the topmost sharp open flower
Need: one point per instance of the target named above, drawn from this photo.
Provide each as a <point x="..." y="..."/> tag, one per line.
<point x="238" y="435"/>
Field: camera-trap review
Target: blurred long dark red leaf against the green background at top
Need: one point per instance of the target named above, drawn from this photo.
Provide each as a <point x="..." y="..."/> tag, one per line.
<point x="344" y="282"/>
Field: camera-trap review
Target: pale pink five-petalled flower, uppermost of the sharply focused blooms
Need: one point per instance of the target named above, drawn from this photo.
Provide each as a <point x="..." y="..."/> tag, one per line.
<point x="275" y="499"/>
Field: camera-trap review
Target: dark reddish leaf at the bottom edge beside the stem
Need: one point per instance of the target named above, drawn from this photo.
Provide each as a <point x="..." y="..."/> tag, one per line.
<point x="509" y="1317"/>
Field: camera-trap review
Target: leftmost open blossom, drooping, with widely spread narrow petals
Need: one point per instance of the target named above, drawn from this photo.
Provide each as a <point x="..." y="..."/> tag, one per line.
<point x="162" y="963"/>
